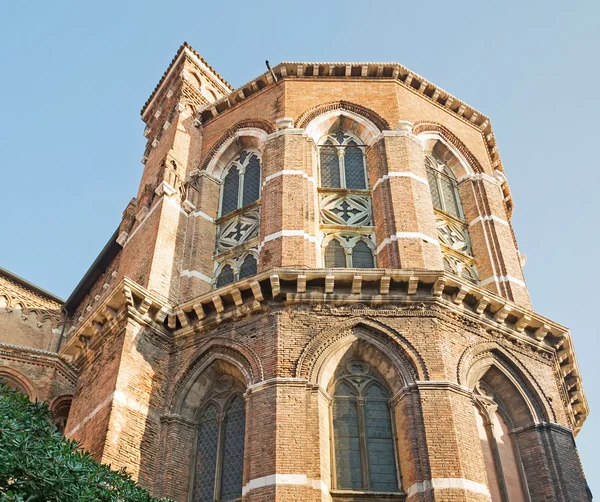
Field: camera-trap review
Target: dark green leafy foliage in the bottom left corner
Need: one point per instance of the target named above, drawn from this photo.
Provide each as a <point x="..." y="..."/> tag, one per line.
<point x="38" y="464"/>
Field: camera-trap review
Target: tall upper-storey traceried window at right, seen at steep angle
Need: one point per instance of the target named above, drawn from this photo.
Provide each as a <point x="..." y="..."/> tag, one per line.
<point x="452" y="228"/>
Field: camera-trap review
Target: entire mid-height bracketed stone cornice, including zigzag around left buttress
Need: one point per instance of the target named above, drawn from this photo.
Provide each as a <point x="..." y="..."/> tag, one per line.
<point x="400" y="289"/>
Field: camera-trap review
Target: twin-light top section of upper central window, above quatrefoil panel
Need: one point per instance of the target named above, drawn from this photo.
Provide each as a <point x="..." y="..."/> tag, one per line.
<point x="342" y="162"/>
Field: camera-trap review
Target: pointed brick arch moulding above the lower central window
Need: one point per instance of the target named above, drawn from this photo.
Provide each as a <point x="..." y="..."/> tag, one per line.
<point x="323" y="353"/>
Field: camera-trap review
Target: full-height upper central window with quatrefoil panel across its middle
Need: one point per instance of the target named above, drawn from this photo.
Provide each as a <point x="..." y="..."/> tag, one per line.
<point x="346" y="214"/>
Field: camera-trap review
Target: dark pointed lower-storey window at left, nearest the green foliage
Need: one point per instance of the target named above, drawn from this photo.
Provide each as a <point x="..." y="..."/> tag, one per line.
<point x="220" y="445"/>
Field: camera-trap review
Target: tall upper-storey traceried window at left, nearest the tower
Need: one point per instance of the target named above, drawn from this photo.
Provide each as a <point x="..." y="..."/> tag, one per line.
<point x="239" y="219"/>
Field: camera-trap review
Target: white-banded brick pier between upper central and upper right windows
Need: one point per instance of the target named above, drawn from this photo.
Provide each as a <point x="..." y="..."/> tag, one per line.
<point x="403" y="195"/>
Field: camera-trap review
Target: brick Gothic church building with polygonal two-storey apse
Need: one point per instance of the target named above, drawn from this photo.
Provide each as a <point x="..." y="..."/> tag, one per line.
<point x="315" y="295"/>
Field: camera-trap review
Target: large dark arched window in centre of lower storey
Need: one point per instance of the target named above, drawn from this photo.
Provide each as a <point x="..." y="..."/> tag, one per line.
<point x="364" y="457"/>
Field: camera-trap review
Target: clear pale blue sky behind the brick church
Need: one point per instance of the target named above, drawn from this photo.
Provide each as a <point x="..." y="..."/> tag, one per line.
<point x="75" y="75"/>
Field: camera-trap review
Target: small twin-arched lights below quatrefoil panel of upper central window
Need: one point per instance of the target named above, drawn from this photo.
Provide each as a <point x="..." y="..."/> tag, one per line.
<point x="349" y="251"/>
